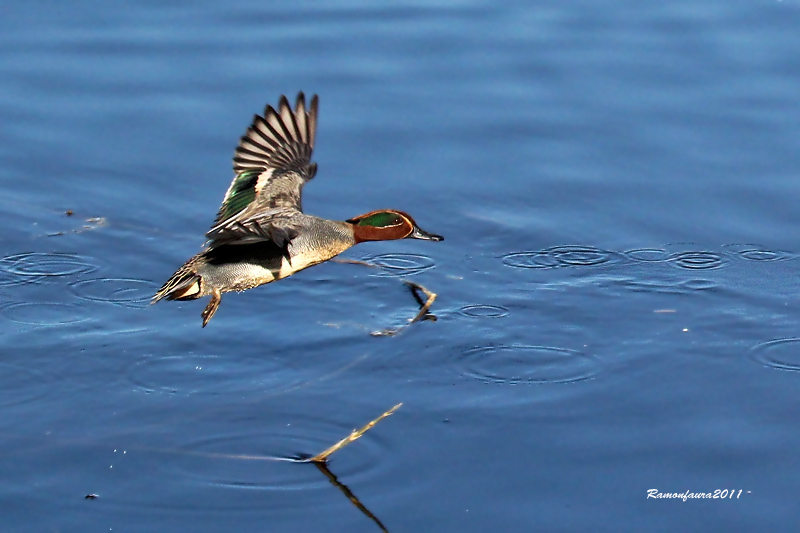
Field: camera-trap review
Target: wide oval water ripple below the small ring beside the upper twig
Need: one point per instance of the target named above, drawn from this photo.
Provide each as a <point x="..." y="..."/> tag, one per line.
<point x="522" y="364"/>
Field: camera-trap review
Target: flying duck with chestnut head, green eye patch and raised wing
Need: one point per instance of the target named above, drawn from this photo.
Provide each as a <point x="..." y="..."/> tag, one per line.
<point x="261" y="234"/>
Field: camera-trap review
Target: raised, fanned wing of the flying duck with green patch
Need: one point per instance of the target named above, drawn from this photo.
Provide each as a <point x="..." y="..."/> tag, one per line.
<point x="271" y="165"/>
